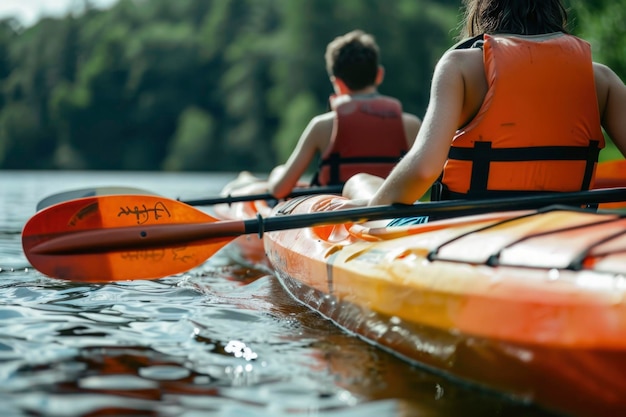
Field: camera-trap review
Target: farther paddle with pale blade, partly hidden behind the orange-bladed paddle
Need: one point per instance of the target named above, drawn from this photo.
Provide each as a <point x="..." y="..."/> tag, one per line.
<point x="100" y="191"/>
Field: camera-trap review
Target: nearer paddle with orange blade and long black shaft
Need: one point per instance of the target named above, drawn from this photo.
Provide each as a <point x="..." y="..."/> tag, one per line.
<point x="123" y="237"/>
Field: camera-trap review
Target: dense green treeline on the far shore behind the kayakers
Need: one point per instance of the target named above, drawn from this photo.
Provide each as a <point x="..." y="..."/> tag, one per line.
<point x="213" y="84"/>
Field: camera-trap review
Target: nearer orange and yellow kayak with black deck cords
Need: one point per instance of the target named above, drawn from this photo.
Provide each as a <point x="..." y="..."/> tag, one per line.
<point x="530" y="304"/>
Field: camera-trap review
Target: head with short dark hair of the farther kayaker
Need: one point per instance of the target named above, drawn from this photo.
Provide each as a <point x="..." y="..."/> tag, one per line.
<point x="353" y="58"/>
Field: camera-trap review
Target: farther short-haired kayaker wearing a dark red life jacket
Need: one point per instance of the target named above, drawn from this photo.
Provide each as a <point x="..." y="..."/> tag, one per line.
<point x="363" y="131"/>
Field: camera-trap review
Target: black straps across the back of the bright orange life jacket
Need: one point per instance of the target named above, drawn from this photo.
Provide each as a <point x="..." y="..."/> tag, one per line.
<point x="482" y="154"/>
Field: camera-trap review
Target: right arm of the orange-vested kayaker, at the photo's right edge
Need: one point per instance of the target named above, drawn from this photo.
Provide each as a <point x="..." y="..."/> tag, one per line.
<point x="612" y="104"/>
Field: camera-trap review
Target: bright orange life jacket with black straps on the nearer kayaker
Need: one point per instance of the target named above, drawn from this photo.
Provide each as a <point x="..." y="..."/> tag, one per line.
<point x="538" y="129"/>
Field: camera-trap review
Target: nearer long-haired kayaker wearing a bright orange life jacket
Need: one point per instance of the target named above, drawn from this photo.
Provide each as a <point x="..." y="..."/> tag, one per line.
<point x="516" y="108"/>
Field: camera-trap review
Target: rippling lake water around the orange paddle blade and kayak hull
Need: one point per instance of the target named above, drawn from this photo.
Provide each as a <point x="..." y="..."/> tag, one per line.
<point x="221" y="340"/>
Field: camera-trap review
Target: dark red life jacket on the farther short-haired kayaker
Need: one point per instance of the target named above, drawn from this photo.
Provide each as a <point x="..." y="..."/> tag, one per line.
<point x="368" y="137"/>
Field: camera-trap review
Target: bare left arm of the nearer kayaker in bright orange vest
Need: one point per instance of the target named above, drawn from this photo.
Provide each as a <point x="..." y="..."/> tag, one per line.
<point x="417" y="171"/>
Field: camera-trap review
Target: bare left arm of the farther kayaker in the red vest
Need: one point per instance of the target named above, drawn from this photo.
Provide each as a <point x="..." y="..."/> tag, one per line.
<point x="283" y="178"/>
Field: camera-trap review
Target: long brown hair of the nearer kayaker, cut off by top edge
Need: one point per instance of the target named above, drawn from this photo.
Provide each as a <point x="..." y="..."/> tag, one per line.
<point x="520" y="17"/>
